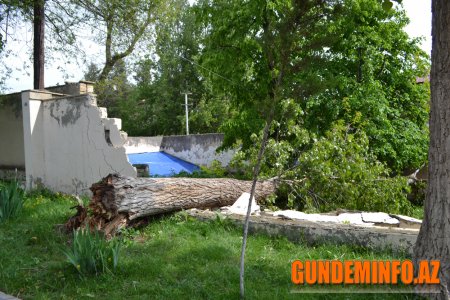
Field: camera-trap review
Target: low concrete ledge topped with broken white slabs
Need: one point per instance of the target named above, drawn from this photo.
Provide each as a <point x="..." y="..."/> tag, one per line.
<point x="368" y="229"/>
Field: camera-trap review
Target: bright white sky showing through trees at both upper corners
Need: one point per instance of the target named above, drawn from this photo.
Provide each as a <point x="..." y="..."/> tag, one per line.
<point x="418" y="11"/>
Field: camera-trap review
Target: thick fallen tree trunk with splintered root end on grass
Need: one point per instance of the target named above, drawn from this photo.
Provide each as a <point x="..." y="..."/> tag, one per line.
<point x="118" y="200"/>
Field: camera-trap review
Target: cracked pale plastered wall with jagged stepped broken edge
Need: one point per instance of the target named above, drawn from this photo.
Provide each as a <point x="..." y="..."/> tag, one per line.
<point x="69" y="142"/>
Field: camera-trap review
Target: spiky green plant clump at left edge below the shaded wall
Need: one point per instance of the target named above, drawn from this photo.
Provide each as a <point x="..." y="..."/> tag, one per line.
<point x="11" y="200"/>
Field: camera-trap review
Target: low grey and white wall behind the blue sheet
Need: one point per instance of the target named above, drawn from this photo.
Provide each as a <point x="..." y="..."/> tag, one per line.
<point x="199" y="149"/>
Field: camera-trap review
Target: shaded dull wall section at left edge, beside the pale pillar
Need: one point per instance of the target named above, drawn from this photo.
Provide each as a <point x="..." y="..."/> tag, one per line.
<point x="12" y="153"/>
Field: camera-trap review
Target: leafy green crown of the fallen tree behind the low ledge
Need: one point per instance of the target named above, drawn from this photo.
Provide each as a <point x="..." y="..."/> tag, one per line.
<point x="335" y="171"/>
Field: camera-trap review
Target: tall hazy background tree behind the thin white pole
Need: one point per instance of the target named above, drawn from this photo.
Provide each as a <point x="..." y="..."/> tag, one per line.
<point x="156" y="106"/>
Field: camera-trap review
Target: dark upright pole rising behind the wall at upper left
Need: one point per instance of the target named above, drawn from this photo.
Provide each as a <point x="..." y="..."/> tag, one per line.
<point x="38" y="44"/>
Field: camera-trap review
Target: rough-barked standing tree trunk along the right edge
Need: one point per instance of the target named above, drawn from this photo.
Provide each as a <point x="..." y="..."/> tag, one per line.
<point x="433" y="242"/>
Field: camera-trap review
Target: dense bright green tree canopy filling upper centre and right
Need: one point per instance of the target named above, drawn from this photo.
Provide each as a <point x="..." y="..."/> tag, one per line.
<point x="354" y="63"/>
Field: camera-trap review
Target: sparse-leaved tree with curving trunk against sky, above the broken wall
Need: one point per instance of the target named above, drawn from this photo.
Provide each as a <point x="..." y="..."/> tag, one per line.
<point x="120" y="26"/>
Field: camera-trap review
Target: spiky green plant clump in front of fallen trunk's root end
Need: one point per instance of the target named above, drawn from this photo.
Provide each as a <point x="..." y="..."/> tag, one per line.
<point x="91" y="253"/>
